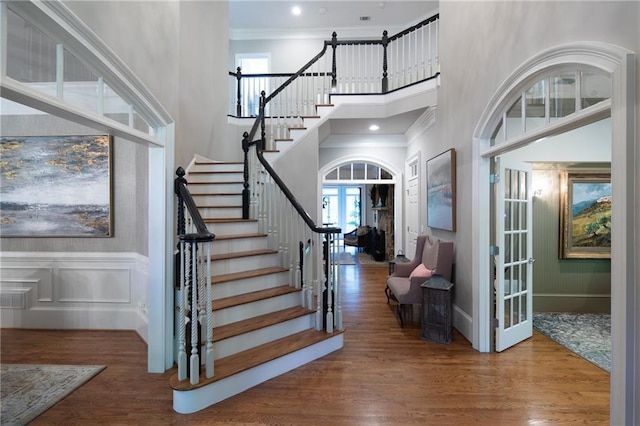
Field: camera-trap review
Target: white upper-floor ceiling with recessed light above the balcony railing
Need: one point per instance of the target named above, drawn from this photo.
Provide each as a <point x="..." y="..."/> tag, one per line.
<point x="266" y="18"/>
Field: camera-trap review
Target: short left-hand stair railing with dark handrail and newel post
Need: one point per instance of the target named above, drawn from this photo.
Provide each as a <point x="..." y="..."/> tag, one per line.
<point x="193" y="270"/>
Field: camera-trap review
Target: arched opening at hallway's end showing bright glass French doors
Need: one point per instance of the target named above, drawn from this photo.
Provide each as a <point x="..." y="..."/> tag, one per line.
<point x="359" y="197"/>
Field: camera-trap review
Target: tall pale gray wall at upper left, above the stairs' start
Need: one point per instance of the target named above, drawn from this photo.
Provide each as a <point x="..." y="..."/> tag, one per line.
<point x="178" y="50"/>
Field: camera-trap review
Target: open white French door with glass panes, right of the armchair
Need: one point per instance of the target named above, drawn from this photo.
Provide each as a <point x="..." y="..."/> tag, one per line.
<point x="514" y="254"/>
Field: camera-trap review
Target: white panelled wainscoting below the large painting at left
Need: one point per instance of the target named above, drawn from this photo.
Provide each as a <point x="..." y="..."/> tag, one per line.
<point x="53" y="290"/>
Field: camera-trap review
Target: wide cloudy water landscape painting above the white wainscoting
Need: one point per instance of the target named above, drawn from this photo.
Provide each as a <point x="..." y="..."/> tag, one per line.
<point x="55" y="186"/>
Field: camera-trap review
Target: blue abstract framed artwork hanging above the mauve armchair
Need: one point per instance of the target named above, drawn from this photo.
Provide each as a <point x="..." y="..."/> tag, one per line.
<point x="441" y="191"/>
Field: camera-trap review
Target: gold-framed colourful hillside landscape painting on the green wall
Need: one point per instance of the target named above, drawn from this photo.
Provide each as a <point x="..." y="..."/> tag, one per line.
<point x="585" y="215"/>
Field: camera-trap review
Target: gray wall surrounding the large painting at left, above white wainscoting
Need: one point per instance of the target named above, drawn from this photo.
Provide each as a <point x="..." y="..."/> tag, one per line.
<point x="129" y="191"/>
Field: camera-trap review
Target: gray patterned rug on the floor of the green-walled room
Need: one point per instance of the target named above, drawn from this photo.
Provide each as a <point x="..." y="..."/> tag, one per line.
<point x="588" y="335"/>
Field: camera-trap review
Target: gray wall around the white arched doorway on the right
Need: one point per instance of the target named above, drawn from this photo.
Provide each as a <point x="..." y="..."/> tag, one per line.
<point x="475" y="63"/>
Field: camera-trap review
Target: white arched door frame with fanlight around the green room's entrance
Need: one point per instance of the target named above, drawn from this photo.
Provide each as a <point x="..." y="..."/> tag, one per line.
<point x="625" y="171"/>
